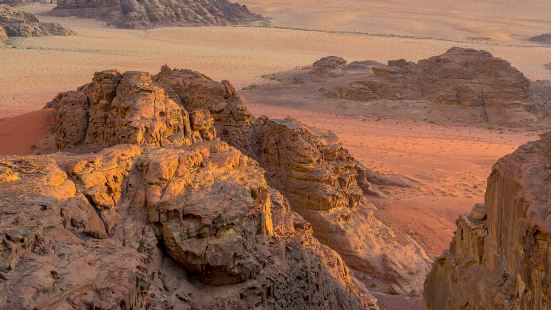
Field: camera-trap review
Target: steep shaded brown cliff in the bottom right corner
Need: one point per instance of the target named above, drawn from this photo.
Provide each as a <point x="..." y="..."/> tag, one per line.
<point x="500" y="255"/>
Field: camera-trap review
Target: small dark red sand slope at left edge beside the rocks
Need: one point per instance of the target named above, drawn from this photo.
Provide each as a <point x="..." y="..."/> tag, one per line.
<point x="20" y="133"/>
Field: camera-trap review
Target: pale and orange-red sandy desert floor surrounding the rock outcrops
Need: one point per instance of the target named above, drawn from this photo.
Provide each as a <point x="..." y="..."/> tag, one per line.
<point x="451" y="163"/>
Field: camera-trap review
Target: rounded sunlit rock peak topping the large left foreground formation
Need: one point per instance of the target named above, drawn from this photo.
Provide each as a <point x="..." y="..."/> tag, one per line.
<point x="126" y="108"/>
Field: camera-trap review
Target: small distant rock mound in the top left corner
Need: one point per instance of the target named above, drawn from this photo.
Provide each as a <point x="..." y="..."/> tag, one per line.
<point x="23" y="24"/>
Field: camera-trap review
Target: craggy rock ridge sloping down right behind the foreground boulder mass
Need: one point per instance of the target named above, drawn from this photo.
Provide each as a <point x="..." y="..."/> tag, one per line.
<point x="329" y="188"/>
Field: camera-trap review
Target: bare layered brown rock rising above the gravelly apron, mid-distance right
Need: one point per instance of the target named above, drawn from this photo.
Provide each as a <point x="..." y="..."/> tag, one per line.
<point x="460" y="76"/>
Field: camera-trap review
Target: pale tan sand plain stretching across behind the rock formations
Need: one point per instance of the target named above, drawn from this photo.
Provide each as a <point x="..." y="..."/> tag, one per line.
<point x="35" y="69"/>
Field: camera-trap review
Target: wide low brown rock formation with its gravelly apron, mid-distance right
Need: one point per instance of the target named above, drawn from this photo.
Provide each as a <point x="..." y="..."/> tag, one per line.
<point x="459" y="80"/>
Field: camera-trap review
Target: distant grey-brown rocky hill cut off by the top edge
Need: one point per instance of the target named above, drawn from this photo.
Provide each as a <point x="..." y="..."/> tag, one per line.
<point x="147" y="14"/>
